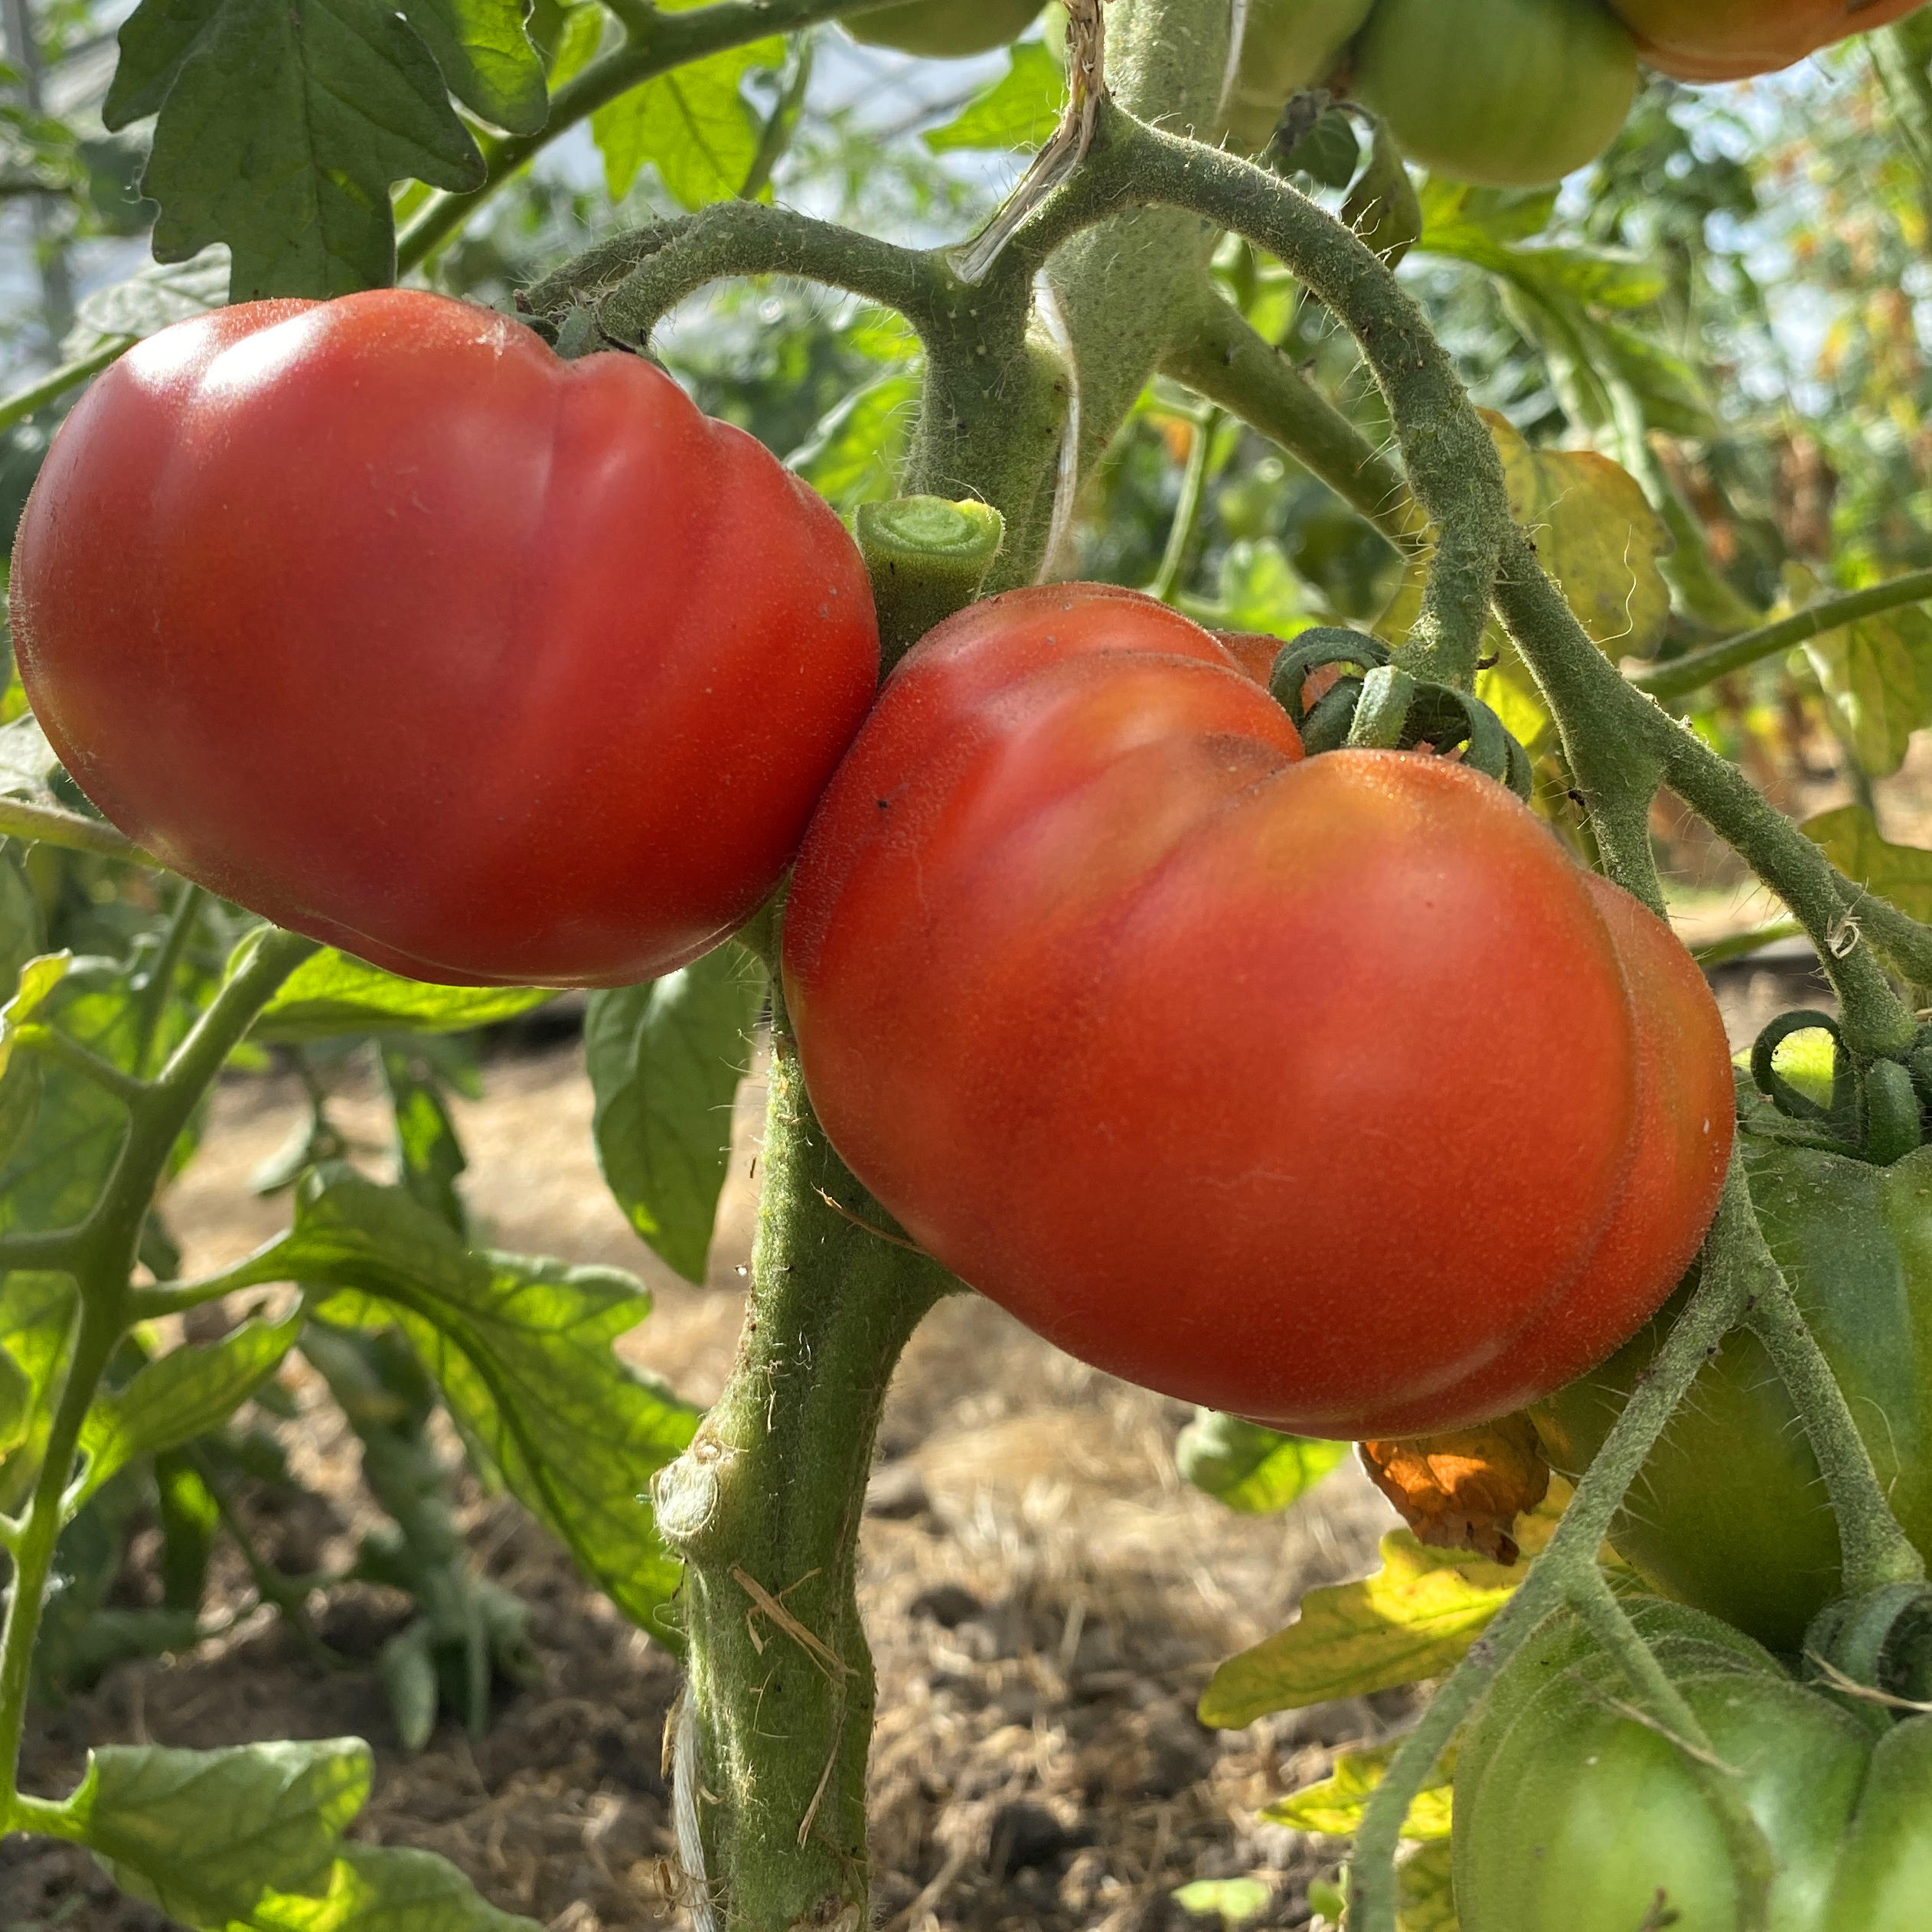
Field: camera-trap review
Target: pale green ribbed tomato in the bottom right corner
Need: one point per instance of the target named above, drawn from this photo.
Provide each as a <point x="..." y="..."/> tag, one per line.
<point x="1576" y="1815"/>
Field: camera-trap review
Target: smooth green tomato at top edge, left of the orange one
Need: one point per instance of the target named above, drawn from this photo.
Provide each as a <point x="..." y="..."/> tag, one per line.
<point x="1510" y="94"/>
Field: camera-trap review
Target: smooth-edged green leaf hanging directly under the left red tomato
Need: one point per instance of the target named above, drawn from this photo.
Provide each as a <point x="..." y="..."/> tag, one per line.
<point x="666" y="1062"/>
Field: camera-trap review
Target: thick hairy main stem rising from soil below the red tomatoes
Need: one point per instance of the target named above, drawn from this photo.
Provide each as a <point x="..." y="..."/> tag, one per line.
<point x="766" y="1510"/>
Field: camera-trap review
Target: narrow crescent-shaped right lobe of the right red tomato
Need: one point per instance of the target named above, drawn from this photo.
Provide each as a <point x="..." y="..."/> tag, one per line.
<point x="1686" y="1125"/>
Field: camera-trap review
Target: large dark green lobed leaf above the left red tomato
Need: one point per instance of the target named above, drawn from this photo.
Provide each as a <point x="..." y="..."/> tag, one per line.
<point x="283" y="127"/>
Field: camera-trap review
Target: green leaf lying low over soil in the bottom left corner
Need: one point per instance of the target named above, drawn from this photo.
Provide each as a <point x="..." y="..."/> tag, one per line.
<point x="248" y="1840"/>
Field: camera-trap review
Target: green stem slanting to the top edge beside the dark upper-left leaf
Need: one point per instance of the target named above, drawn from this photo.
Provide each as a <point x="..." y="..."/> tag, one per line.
<point x="656" y="43"/>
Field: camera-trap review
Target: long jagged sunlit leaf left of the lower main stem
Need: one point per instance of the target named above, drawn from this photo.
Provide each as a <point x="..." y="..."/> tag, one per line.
<point x="523" y="1355"/>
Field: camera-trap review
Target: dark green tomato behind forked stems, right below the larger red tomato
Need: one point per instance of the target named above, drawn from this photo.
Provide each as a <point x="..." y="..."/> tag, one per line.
<point x="1730" y="1512"/>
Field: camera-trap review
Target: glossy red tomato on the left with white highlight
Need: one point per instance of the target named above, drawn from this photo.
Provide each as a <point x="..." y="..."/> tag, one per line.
<point x="384" y="621"/>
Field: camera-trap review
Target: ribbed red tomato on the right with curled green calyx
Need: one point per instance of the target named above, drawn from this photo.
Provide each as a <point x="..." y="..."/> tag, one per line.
<point x="1326" y="1093"/>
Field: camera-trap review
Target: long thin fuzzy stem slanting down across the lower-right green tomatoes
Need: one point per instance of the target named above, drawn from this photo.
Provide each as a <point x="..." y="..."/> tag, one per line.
<point x="1732" y="1276"/>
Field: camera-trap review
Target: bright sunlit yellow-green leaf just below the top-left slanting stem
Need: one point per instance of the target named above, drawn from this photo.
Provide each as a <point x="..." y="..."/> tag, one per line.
<point x="693" y="125"/>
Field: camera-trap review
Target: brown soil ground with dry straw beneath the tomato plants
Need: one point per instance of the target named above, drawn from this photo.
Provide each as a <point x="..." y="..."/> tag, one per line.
<point x="1046" y="1603"/>
